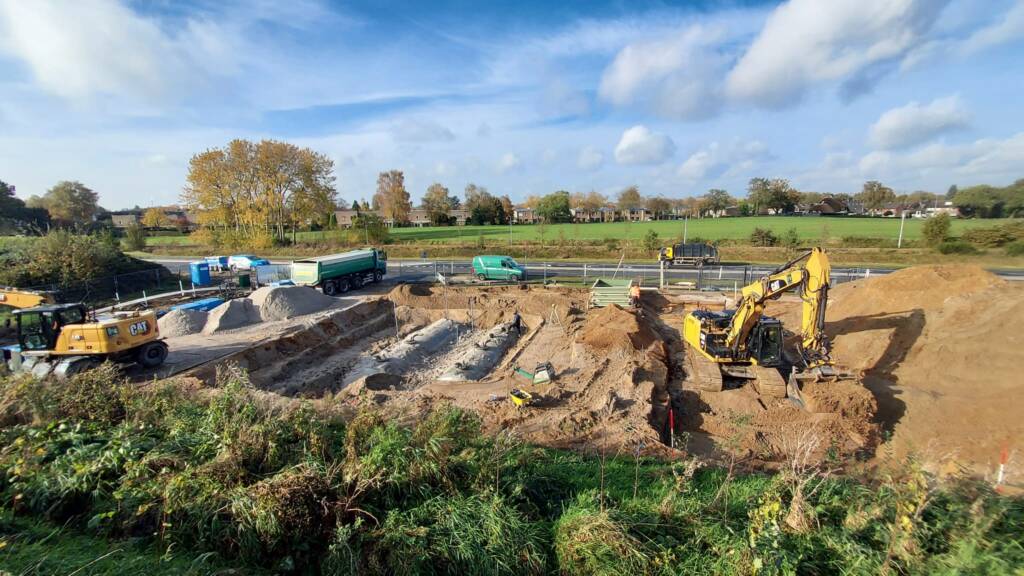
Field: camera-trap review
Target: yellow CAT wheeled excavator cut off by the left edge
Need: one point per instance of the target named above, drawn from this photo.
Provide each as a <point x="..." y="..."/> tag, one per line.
<point x="65" y="340"/>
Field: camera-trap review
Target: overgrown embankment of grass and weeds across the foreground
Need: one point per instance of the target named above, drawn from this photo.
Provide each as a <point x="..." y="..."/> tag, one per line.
<point x="105" y="478"/>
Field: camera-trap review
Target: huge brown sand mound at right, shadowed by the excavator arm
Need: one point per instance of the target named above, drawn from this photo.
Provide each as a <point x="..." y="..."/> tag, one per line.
<point x="941" y="348"/>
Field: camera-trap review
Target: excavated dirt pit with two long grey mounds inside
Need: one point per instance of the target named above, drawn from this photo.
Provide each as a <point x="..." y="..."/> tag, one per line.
<point x="619" y="374"/>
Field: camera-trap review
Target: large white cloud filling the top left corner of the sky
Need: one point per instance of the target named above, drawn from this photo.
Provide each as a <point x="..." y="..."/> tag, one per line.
<point x="90" y="48"/>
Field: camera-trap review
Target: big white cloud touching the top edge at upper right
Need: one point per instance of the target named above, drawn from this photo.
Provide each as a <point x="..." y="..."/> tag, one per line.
<point x="806" y="43"/>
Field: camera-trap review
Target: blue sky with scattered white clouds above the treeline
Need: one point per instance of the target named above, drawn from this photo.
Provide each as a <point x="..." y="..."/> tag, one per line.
<point x="523" y="98"/>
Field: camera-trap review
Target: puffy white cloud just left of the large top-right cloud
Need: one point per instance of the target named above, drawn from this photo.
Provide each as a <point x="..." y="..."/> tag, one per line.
<point x="678" y="77"/>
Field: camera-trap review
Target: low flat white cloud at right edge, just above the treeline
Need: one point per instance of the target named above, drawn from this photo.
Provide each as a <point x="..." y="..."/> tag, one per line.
<point x="991" y="159"/>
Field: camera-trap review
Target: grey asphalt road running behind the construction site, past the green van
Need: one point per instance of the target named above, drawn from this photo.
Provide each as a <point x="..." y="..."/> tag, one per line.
<point x="726" y="276"/>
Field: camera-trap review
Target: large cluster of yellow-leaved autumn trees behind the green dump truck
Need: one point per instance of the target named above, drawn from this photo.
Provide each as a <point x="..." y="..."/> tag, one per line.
<point x="260" y="189"/>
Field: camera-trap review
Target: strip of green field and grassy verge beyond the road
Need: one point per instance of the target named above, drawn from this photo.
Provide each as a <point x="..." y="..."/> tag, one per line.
<point x="854" y="242"/>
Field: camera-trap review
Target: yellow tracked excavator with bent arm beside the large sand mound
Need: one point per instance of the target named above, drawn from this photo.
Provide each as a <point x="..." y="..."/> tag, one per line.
<point x="746" y="345"/>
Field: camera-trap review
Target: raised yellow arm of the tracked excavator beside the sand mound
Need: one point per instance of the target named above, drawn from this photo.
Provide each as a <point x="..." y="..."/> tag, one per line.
<point x="809" y="277"/>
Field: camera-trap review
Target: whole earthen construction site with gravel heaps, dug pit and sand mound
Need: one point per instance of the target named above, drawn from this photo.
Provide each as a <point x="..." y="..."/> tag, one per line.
<point x="562" y="367"/>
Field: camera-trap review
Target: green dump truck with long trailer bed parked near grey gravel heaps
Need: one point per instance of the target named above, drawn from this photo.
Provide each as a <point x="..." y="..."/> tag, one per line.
<point x="337" y="274"/>
